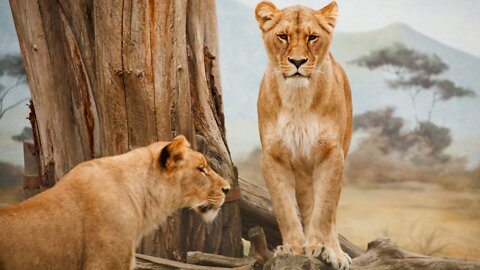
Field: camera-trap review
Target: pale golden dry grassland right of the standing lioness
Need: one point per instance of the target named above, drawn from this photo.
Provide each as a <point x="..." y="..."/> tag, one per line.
<point x="423" y="218"/>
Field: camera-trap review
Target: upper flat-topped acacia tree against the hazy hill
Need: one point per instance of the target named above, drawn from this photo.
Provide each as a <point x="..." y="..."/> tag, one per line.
<point x="414" y="72"/>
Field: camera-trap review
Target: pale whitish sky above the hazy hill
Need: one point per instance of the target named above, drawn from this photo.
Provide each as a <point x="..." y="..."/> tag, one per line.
<point x="453" y="22"/>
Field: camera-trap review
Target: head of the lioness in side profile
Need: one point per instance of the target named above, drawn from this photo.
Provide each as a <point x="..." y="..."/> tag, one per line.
<point x="202" y="188"/>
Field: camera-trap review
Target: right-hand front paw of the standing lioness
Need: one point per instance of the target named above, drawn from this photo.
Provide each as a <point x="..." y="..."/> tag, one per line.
<point x="337" y="259"/>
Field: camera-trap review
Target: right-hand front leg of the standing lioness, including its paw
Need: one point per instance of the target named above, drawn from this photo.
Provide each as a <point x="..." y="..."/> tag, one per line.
<point x="322" y="238"/>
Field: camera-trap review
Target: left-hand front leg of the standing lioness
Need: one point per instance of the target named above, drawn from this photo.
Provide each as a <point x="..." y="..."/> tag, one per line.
<point x="281" y="186"/>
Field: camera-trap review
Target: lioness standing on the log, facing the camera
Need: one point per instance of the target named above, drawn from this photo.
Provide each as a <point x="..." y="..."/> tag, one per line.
<point x="305" y="118"/>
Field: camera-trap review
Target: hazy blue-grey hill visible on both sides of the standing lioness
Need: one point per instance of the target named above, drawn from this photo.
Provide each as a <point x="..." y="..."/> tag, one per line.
<point x="243" y="60"/>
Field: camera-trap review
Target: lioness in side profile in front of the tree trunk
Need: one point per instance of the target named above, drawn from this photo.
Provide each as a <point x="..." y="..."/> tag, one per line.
<point x="96" y="215"/>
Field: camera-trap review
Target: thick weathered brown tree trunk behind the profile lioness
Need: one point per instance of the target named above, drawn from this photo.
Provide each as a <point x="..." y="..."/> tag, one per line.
<point x="109" y="76"/>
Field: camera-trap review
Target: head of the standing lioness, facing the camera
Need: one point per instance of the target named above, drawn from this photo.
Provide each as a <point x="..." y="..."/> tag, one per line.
<point x="296" y="38"/>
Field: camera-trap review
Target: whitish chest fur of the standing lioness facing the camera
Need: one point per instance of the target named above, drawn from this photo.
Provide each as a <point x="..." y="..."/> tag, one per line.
<point x="298" y="127"/>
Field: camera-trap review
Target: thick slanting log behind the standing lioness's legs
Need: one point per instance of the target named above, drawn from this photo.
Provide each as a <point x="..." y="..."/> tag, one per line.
<point x="256" y="210"/>
